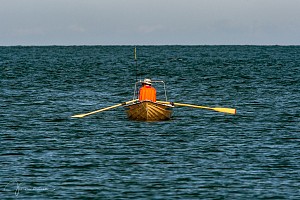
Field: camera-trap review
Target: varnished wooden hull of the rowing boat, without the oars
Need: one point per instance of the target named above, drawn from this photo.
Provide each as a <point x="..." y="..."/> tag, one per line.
<point x="149" y="111"/>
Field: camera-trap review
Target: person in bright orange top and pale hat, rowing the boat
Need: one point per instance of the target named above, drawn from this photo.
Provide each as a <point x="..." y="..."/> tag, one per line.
<point x="147" y="92"/>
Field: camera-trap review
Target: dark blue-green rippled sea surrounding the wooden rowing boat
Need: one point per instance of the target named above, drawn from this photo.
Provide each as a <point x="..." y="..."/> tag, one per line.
<point x="199" y="154"/>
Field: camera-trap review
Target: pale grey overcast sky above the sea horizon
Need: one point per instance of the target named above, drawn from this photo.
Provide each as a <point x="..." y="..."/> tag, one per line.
<point x="136" y="22"/>
